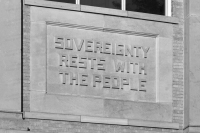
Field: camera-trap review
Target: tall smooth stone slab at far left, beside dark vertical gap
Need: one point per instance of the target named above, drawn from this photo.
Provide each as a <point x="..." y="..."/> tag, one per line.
<point x="10" y="48"/>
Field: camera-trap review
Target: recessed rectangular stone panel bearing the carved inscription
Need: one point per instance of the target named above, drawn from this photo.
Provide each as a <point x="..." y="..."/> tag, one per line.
<point x="97" y="63"/>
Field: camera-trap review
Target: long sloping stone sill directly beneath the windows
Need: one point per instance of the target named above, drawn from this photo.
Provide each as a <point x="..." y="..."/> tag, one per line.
<point x="99" y="10"/>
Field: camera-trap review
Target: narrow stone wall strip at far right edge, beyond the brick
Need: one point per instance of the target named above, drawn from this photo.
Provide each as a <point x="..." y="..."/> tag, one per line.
<point x="194" y="72"/>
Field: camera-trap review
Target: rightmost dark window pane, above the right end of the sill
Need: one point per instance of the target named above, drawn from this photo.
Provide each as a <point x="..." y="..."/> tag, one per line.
<point x="146" y="6"/>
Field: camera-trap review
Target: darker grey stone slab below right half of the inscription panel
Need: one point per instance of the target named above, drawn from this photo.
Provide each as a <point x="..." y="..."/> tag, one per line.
<point x="138" y="110"/>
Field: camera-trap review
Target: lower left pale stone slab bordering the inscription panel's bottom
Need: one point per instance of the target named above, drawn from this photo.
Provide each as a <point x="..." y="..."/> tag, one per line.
<point x="73" y="105"/>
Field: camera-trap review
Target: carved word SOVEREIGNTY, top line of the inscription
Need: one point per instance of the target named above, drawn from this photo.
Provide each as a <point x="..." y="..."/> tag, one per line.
<point x="101" y="47"/>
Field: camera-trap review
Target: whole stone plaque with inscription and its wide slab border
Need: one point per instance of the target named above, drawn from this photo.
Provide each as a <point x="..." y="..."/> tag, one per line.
<point x="52" y="93"/>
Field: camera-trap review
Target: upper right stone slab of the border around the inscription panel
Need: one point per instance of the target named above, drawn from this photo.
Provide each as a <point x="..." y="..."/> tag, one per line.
<point x="161" y="29"/>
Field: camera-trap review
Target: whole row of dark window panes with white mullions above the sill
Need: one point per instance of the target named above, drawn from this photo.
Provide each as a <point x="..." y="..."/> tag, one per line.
<point x="160" y="7"/>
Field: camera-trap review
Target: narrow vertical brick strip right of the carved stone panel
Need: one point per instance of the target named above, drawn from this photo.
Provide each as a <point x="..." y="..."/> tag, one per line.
<point x="178" y="63"/>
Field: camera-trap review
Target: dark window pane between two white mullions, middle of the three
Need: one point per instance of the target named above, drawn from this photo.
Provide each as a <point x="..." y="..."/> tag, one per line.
<point x="114" y="4"/>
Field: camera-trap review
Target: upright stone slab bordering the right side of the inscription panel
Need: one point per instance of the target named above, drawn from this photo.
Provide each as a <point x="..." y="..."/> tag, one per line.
<point x="164" y="88"/>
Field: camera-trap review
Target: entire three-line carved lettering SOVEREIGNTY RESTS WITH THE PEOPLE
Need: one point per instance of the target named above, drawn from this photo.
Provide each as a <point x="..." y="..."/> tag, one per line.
<point x="96" y="63"/>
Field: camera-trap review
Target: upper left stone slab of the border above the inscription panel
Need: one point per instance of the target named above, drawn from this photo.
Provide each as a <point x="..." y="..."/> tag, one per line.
<point x="71" y="17"/>
